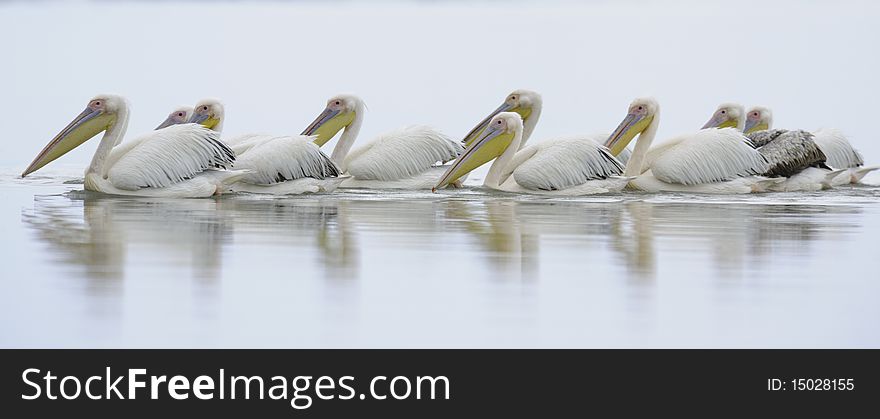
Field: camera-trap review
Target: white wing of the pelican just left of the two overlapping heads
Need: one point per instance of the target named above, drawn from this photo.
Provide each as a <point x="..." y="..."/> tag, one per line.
<point x="401" y="154"/>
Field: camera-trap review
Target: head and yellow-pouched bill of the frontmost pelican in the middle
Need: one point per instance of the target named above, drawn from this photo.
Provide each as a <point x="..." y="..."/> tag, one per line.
<point x="489" y="144"/>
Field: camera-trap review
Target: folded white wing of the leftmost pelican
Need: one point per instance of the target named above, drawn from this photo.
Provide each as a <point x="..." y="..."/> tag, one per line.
<point x="167" y="156"/>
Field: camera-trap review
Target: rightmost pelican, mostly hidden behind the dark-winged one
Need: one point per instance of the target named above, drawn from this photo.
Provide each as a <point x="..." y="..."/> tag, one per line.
<point x="838" y="151"/>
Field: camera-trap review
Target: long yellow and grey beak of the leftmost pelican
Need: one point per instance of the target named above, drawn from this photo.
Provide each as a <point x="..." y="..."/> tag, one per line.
<point x="85" y="126"/>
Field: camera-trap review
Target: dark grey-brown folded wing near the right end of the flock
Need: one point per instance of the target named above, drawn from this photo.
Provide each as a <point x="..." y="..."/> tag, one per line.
<point x="788" y="152"/>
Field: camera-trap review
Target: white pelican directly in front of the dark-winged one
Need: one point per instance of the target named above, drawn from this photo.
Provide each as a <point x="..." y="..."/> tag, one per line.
<point x="707" y="161"/>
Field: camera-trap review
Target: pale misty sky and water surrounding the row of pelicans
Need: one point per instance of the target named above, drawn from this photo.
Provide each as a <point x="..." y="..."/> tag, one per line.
<point x="463" y="268"/>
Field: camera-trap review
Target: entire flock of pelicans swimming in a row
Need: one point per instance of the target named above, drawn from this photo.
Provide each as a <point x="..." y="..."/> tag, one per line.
<point x="735" y="152"/>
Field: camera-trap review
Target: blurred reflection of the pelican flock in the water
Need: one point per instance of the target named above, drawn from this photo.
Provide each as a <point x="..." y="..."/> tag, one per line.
<point x="97" y="232"/>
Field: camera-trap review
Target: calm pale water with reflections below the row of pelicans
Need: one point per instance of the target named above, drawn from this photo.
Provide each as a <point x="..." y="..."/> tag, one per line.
<point x="464" y="268"/>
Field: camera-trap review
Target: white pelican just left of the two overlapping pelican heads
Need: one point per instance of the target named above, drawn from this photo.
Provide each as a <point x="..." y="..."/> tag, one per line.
<point x="405" y="158"/>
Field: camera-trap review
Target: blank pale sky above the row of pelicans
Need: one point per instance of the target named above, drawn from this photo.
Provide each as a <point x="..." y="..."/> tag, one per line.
<point x="275" y="64"/>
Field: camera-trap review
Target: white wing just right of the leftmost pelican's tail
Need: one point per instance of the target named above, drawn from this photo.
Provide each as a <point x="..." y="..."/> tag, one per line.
<point x="278" y="159"/>
